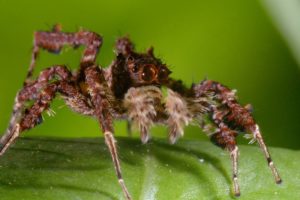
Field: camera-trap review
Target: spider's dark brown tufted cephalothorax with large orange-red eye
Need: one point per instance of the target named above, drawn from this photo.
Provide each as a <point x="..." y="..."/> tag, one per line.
<point x="131" y="69"/>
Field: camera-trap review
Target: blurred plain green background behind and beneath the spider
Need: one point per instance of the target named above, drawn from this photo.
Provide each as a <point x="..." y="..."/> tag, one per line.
<point x="234" y="42"/>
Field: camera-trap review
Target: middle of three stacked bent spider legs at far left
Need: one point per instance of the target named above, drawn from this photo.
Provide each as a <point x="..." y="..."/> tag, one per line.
<point x="33" y="92"/>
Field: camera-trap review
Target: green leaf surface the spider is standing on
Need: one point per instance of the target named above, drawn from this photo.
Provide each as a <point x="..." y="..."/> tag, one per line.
<point x="44" y="168"/>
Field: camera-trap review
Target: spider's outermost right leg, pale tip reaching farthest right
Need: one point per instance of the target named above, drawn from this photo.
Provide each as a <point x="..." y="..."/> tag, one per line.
<point x="239" y="117"/>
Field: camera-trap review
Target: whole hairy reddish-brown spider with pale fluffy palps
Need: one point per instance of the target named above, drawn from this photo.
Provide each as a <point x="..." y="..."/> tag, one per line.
<point x="130" y="89"/>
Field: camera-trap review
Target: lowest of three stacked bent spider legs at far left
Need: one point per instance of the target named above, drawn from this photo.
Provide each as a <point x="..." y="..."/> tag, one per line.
<point x="32" y="116"/>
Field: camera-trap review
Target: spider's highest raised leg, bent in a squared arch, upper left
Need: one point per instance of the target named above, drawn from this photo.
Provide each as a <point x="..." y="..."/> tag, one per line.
<point x="55" y="40"/>
